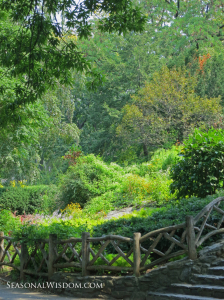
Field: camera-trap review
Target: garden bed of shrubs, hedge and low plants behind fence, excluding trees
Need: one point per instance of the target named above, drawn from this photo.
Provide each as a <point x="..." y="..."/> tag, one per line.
<point x="158" y="193"/>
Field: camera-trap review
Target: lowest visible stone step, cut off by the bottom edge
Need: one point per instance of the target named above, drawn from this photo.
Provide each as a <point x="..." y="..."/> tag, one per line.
<point x="171" y="296"/>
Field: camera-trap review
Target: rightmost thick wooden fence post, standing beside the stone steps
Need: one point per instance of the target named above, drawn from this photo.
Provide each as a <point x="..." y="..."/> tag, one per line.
<point x="192" y="253"/>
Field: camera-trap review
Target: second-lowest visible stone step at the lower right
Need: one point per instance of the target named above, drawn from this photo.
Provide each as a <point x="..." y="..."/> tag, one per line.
<point x="204" y="290"/>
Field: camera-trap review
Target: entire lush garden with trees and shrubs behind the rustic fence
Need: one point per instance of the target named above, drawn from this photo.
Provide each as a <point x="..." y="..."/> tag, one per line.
<point x="111" y="125"/>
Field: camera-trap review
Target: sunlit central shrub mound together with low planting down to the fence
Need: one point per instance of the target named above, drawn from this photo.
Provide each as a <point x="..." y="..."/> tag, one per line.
<point x="105" y="187"/>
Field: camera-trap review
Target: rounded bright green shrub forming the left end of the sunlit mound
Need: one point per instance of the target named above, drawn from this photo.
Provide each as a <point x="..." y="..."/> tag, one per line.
<point x="89" y="178"/>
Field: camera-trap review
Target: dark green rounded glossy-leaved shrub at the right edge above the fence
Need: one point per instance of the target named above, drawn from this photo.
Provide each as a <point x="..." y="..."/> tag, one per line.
<point x="200" y="172"/>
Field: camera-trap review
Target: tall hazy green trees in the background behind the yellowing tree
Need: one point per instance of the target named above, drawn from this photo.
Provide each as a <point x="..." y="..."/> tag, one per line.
<point x="174" y="35"/>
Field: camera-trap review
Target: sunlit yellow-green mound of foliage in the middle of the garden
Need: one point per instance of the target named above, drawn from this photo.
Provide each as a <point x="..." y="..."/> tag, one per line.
<point x="99" y="186"/>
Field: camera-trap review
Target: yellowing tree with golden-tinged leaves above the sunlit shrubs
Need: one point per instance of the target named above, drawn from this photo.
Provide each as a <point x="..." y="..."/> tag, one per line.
<point x="166" y="109"/>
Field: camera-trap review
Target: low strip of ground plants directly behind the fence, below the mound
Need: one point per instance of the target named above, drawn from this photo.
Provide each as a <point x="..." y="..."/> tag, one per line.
<point x="145" y="220"/>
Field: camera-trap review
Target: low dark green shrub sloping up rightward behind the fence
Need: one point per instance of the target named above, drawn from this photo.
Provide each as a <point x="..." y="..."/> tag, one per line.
<point x="172" y="214"/>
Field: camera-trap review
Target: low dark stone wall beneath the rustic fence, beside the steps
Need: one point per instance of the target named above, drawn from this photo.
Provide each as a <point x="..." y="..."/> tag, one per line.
<point x="132" y="288"/>
